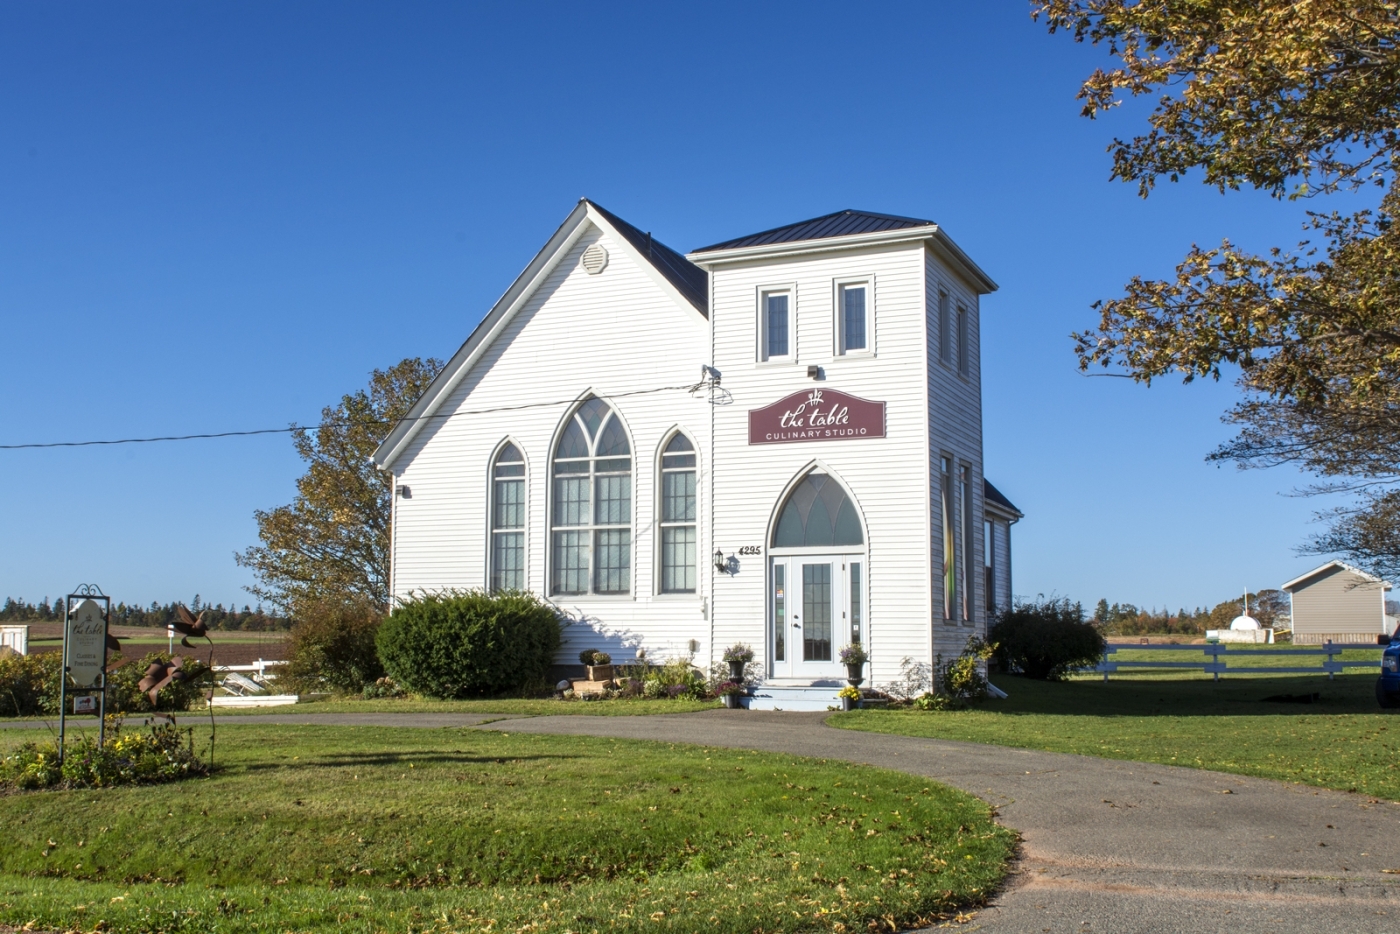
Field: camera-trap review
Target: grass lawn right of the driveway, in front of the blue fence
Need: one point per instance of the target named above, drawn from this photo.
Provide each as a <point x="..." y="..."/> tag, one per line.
<point x="1345" y="741"/>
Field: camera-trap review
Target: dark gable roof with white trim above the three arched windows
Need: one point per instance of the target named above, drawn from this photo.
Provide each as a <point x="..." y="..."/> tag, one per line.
<point x="688" y="289"/>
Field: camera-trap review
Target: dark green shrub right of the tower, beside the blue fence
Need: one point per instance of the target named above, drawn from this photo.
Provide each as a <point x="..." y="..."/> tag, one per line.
<point x="1046" y="639"/>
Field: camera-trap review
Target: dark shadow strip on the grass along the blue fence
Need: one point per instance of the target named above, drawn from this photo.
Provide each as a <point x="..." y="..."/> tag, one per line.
<point x="1163" y="697"/>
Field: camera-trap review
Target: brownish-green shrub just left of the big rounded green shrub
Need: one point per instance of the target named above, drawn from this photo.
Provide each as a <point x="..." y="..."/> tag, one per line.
<point x="332" y="648"/>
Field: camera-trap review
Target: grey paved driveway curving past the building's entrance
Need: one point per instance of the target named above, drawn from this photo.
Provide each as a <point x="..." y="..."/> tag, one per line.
<point x="1108" y="846"/>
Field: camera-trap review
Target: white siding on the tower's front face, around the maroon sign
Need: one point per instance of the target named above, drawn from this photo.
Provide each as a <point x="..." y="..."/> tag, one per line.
<point x="888" y="478"/>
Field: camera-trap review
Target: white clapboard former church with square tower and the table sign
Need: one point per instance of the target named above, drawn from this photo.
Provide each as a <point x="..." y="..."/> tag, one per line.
<point x="775" y="440"/>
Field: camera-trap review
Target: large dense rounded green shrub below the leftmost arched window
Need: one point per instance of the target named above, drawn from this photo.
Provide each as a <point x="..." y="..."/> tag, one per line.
<point x="470" y="643"/>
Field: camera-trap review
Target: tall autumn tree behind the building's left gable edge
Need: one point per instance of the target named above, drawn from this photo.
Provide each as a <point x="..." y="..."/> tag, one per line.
<point x="332" y="543"/>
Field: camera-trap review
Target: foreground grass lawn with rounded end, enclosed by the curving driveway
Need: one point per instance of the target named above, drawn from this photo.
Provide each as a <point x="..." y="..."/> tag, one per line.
<point x="369" y="830"/>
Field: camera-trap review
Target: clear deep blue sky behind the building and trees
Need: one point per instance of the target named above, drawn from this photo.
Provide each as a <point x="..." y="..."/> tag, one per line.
<point x="223" y="216"/>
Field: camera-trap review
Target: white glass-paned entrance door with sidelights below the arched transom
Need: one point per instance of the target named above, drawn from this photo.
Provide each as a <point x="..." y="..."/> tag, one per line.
<point x="817" y="607"/>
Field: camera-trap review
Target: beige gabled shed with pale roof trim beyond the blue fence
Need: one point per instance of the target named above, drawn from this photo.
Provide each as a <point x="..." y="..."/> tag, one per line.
<point x="1338" y="603"/>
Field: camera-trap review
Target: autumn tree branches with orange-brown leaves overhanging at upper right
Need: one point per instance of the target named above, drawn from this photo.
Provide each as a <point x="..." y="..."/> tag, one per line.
<point x="1300" y="99"/>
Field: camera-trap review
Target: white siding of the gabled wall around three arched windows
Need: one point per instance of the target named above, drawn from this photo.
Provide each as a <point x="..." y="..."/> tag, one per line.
<point x="614" y="334"/>
